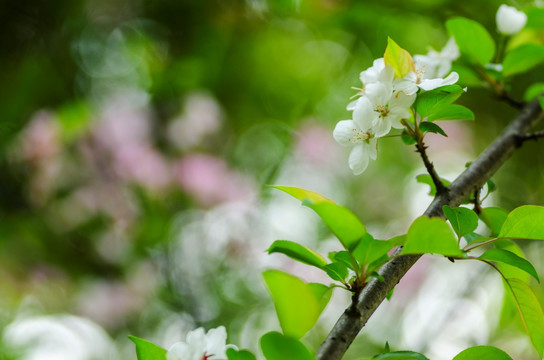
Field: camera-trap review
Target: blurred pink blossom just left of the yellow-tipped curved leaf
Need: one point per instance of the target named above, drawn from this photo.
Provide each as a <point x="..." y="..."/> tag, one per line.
<point x="209" y="180"/>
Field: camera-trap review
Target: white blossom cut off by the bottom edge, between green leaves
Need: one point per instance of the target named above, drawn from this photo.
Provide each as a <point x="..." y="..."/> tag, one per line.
<point x="200" y="346"/>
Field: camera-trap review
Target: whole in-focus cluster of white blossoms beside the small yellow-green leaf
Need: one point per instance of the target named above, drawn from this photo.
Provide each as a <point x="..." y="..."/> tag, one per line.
<point x="385" y="99"/>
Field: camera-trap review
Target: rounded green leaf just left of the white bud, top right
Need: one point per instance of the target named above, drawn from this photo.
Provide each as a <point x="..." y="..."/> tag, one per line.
<point x="473" y="40"/>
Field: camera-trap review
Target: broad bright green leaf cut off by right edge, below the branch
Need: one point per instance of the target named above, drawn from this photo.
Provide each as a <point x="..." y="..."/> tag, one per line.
<point x="525" y="222"/>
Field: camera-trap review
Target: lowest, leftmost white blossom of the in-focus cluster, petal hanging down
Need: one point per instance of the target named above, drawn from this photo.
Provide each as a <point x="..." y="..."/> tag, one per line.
<point x="349" y="133"/>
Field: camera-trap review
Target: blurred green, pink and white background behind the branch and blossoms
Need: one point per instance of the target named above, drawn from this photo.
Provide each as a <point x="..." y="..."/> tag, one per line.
<point x="137" y="138"/>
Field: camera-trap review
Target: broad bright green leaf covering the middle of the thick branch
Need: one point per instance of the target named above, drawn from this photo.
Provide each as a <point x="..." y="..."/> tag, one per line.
<point x="431" y="235"/>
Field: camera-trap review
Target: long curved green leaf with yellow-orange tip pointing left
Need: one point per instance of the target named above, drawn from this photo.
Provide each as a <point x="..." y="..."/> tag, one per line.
<point x="340" y="220"/>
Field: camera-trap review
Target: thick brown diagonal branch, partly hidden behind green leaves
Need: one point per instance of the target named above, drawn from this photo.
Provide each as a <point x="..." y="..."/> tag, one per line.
<point x="355" y="317"/>
